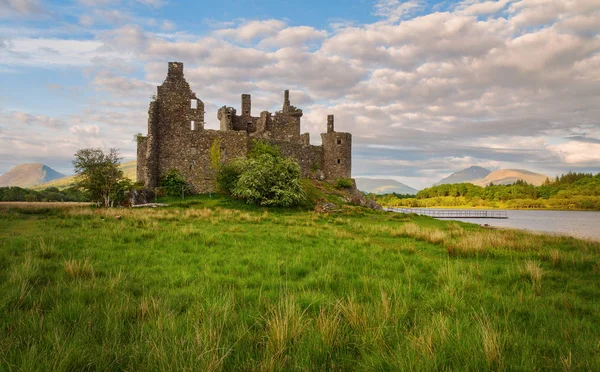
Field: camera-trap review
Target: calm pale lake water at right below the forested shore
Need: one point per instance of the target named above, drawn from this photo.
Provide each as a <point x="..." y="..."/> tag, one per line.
<point x="574" y="223"/>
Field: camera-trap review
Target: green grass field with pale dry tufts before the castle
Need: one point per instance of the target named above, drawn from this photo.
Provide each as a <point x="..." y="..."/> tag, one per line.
<point x="212" y="284"/>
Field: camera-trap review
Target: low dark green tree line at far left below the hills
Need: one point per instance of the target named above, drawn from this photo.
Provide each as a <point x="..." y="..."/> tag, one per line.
<point x="71" y="194"/>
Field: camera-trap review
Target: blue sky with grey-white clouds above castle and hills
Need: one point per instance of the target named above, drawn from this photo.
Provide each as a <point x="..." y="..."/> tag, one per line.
<point x="426" y="88"/>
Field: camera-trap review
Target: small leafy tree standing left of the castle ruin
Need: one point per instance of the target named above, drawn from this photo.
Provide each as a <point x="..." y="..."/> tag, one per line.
<point x="100" y="175"/>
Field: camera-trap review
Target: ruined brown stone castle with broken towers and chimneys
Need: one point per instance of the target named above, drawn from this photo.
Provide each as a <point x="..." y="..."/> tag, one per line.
<point x="177" y="139"/>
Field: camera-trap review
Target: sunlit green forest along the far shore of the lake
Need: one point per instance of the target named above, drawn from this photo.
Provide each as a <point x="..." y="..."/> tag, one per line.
<point x="569" y="191"/>
